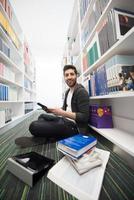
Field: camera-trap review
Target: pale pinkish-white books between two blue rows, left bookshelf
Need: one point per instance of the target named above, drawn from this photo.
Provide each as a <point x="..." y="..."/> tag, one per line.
<point x="6" y="72"/>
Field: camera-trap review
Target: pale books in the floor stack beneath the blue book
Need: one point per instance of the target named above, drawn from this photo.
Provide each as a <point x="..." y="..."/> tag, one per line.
<point x="86" y="162"/>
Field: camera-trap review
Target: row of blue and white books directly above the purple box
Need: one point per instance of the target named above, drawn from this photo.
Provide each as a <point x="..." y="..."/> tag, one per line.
<point x="116" y="75"/>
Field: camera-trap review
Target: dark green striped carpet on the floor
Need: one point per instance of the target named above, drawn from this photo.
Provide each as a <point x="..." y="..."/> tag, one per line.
<point x="118" y="181"/>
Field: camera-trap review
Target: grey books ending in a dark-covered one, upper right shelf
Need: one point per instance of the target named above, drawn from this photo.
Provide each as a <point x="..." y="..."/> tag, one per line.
<point x="115" y="25"/>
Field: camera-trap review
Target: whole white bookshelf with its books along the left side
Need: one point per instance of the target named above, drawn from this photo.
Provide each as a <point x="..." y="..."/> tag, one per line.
<point x="17" y="70"/>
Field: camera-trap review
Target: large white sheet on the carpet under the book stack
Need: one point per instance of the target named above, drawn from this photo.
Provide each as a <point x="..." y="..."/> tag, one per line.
<point x="83" y="187"/>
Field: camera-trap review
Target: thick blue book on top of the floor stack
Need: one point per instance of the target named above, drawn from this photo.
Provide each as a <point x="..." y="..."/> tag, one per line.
<point x="77" y="144"/>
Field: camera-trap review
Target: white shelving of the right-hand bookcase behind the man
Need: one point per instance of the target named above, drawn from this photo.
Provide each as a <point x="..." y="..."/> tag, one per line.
<point x="88" y="29"/>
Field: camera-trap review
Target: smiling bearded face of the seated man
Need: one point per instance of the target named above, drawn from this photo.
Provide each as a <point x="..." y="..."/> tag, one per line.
<point x="70" y="77"/>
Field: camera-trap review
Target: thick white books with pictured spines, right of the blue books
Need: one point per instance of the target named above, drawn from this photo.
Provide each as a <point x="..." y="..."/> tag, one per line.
<point x="119" y="73"/>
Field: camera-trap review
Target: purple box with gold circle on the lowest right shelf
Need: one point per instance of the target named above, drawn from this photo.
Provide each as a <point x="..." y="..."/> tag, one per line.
<point x="101" y="116"/>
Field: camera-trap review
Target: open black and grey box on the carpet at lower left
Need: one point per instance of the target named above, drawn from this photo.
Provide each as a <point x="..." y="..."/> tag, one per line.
<point x="29" y="167"/>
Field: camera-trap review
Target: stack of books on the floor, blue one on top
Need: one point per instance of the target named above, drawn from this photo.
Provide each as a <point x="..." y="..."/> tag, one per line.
<point x="80" y="151"/>
